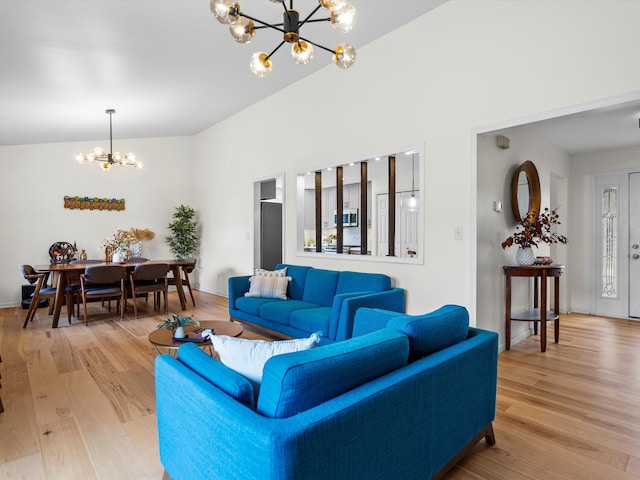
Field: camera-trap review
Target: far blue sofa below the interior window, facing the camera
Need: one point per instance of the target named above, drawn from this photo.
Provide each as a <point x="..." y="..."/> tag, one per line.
<point x="318" y="301"/>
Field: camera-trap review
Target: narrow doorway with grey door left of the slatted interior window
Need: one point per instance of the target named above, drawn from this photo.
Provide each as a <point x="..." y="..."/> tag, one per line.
<point x="268" y="222"/>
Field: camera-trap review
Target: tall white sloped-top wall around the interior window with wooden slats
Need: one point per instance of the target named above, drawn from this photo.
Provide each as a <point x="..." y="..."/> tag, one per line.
<point x="460" y="67"/>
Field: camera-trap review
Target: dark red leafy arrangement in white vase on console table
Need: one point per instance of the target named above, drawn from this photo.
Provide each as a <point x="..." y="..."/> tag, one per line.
<point x="532" y="231"/>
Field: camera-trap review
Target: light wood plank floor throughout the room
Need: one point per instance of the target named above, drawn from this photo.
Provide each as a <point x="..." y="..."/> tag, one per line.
<point x="79" y="401"/>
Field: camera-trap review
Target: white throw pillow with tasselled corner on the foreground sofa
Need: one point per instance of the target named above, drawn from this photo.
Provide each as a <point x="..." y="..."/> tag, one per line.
<point x="247" y="357"/>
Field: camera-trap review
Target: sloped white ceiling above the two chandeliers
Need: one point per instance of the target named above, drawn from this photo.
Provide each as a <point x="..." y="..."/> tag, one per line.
<point x="167" y="66"/>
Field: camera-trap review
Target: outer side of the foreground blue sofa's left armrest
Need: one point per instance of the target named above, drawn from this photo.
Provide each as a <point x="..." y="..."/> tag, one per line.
<point x="202" y="431"/>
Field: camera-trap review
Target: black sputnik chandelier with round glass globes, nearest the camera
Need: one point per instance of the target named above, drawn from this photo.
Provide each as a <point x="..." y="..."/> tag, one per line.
<point x="243" y="28"/>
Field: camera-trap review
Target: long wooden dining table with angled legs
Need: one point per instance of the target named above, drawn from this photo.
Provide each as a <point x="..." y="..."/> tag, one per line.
<point x="64" y="271"/>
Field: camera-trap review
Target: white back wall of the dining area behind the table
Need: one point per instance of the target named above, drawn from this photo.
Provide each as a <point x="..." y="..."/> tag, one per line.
<point x="36" y="178"/>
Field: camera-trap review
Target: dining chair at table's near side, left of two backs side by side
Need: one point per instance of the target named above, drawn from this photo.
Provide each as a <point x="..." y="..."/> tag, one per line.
<point x="103" y="282"/>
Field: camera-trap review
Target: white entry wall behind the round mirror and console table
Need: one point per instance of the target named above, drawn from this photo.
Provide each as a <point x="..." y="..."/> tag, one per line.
<point x="495" y="171"/>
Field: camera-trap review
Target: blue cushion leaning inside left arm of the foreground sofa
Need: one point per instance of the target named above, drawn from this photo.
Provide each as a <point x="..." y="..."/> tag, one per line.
<point x="226" y="379"/>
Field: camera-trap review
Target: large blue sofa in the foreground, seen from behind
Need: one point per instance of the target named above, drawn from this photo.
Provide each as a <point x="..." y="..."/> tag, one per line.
<point x="370" y="407"/>
